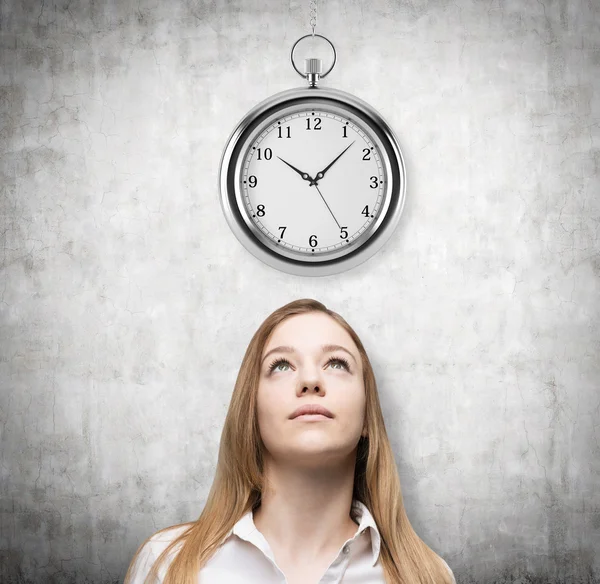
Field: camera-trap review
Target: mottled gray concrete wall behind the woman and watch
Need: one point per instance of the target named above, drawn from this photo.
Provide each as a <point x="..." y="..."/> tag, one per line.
<point x="126" y="303"/>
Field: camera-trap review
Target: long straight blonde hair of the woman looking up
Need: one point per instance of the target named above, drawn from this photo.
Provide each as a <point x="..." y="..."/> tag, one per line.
<point x="238" y="482"/>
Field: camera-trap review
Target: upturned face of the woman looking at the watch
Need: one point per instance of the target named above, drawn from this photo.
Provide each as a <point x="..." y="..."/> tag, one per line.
<point x="310" y="375"/>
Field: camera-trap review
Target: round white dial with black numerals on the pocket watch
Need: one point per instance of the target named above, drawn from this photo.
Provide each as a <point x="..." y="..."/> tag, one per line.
<point x="311" y="180"/>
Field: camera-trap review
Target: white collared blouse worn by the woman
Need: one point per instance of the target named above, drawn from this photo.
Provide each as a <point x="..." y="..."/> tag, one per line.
<point x="245" y="556"/>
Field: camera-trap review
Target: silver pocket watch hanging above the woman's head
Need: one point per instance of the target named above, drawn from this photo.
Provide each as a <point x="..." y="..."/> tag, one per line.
<point x="312" y="179"/>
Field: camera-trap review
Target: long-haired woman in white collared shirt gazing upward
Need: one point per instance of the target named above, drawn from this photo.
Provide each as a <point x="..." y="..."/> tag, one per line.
<point x="298" y="499"/>
